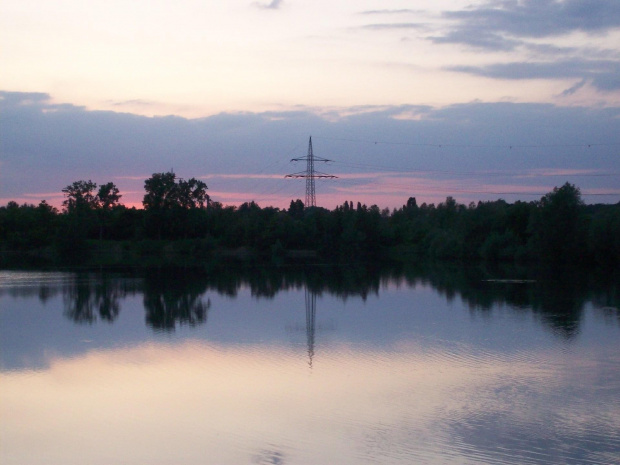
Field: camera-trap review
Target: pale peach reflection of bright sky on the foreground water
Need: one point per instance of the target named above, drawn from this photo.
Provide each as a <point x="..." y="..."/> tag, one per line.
<point x="223" y="404"/>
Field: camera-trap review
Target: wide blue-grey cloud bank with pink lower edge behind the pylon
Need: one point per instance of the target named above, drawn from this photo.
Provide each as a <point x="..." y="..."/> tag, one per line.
<point x="46" y="146"/>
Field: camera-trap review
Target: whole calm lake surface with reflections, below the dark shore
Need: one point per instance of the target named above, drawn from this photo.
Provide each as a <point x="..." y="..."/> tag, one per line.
<point x="316" y="366"/>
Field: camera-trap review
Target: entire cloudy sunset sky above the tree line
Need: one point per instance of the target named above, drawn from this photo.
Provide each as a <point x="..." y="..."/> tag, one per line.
<point x="479" y="100"/>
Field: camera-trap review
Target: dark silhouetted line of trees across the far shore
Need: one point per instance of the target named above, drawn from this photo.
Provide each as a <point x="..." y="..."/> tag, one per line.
<point x="558" y="228"/>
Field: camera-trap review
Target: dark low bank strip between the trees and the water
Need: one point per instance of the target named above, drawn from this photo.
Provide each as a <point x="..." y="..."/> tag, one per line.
<point x="199" y="253"/>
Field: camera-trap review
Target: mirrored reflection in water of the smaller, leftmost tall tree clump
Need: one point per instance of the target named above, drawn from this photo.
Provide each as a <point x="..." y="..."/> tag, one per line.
<point x="94" y="296"/>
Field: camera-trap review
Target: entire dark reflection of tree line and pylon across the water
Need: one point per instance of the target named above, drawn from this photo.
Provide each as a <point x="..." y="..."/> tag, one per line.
<point x="177" y="297"/>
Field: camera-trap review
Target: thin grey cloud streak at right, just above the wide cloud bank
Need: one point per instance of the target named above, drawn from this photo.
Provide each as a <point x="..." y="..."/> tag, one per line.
<point x="603" y="74"/>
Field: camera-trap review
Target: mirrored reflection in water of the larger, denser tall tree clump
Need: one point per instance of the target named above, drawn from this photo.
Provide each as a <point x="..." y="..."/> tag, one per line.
<point x="175" y="297"/>
